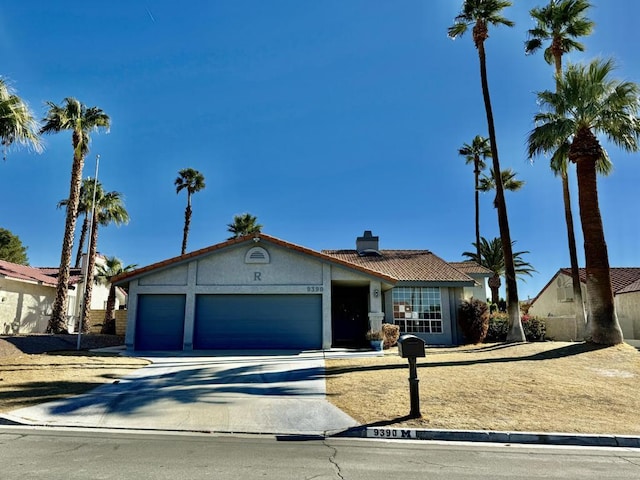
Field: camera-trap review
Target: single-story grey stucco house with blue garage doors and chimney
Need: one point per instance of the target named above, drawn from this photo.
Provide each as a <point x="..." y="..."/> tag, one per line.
<point x="260" y="292"/>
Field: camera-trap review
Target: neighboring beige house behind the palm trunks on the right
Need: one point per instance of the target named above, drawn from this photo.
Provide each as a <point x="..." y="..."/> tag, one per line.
<point x="555" y="302"/>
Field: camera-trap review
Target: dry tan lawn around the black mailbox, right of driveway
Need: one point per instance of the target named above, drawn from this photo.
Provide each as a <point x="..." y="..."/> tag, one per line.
<point x="543" y="387"/>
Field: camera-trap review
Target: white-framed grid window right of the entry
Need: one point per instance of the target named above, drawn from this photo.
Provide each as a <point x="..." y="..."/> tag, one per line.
<point x="417" y="309"/>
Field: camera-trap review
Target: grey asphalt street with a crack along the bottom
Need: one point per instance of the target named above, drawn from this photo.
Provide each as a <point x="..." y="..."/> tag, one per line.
<point x="36" y="453"/>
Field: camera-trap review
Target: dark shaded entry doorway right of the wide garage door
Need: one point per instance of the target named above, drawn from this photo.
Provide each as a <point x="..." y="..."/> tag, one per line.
<point x="349" y="316"/>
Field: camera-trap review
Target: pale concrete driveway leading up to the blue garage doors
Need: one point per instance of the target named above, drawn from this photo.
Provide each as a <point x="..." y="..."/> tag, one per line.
<point x="261" y="393"/>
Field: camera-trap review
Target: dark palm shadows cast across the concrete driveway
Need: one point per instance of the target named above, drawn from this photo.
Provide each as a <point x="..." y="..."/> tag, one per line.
<point x="191" y="385"/>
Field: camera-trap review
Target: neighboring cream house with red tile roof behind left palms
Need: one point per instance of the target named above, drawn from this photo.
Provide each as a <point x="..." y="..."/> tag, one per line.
<point x="27" y="295"/>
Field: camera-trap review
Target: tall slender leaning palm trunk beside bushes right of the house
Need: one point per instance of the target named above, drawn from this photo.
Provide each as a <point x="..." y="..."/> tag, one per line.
<point x="516" y="332"/>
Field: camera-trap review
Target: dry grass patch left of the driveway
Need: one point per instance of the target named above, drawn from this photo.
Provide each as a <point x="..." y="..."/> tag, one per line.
<point x="26" y="380"/>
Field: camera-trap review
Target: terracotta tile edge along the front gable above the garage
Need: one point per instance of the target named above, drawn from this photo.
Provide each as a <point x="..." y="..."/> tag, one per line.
<point x="125" y="277"/>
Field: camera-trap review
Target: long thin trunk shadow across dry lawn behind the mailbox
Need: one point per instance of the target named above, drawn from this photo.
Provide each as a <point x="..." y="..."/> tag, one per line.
<point x="556" y="353"/>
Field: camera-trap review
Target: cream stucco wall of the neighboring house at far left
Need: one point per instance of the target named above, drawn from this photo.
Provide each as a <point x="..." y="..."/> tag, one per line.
<point x="24" y="307"/>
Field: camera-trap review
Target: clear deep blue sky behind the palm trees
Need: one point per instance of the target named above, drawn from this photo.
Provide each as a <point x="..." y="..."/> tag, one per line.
<point x="323" y="119"/>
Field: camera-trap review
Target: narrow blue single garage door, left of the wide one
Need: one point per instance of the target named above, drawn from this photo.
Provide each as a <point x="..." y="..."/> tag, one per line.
<point x="160" y="322"/>
